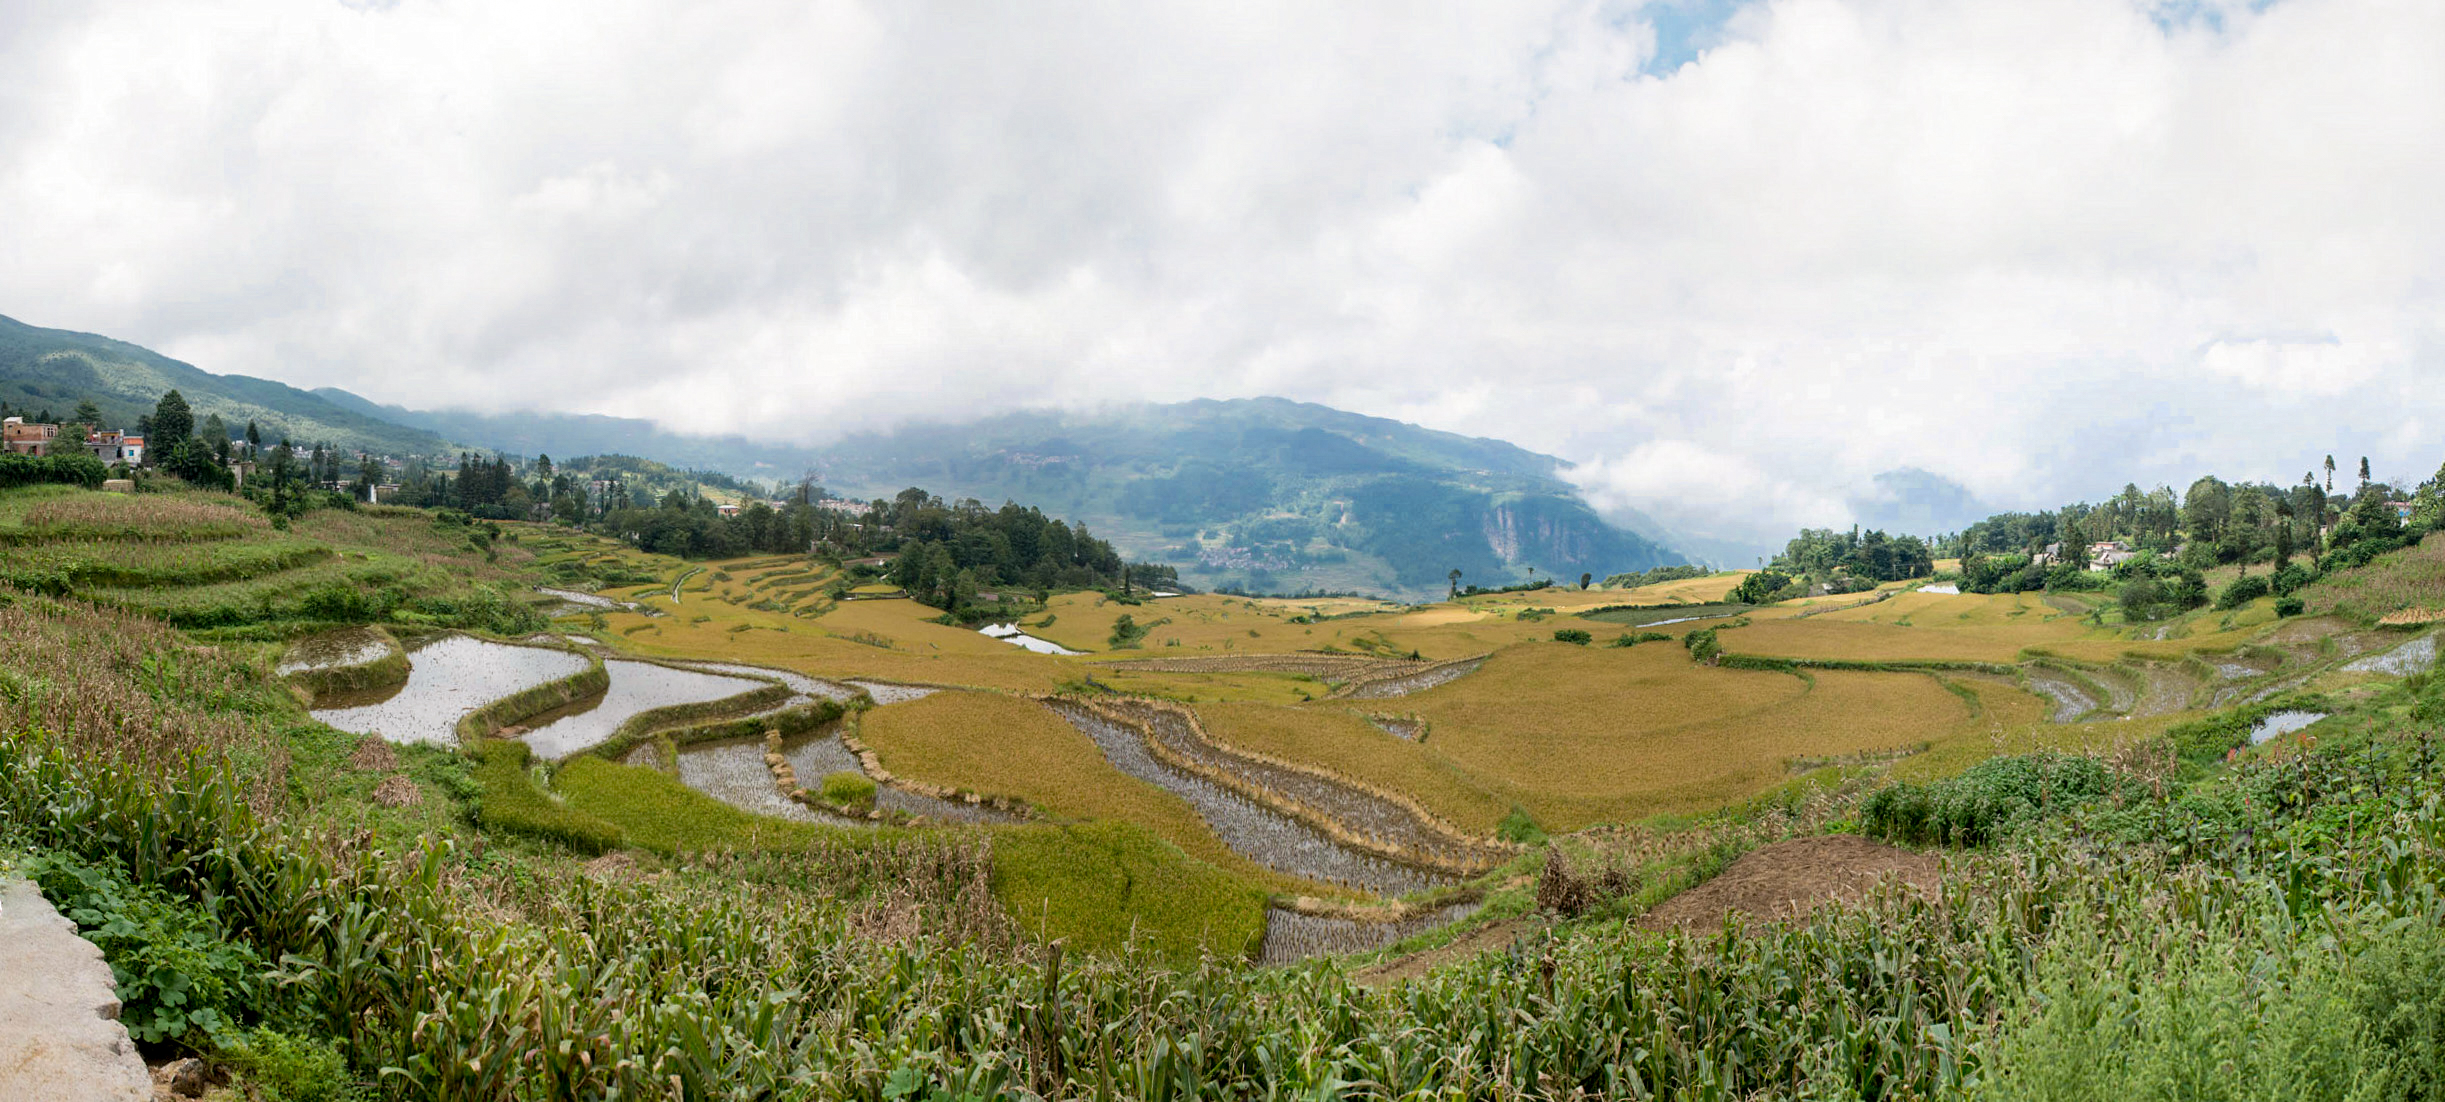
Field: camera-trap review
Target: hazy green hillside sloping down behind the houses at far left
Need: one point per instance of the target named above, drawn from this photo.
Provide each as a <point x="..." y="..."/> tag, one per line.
<point x="53" y="370"/>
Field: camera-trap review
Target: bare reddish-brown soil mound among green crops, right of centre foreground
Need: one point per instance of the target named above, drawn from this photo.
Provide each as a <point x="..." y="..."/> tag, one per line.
<point x="1793" y="878"/>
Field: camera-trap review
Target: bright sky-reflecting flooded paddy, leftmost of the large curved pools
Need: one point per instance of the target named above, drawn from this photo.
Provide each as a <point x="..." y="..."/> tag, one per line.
<point x="449" y="678"/>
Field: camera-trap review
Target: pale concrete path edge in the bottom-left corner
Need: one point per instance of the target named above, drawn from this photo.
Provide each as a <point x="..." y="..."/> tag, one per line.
<point x="60" y="1010"/>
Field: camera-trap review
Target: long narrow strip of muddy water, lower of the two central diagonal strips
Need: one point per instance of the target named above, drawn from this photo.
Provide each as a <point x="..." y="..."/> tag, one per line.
<point x="1251" y="830"/>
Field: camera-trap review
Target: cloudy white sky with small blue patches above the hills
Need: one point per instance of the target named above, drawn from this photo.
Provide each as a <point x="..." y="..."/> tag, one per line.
<point x="1730" y="258"/>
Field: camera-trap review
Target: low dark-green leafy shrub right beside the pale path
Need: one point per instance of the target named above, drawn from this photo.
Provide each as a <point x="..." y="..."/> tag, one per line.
<point x="182" y="979"/>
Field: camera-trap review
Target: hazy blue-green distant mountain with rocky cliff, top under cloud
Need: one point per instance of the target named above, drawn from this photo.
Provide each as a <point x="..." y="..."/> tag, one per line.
<point x="1268" y="492"/>
